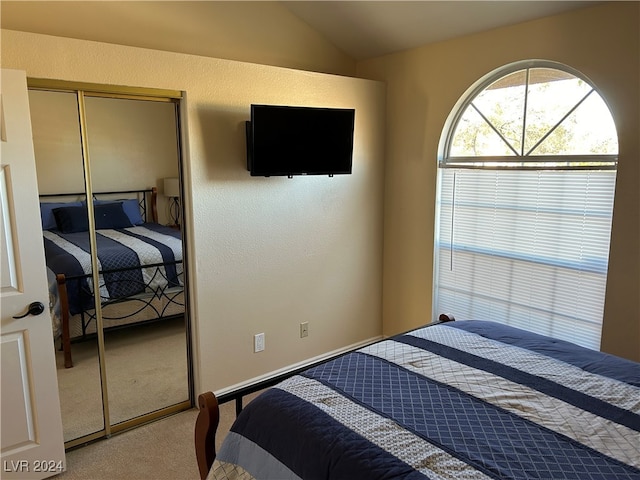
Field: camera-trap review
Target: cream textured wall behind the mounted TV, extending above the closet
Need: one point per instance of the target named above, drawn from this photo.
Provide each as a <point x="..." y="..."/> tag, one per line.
<point x="265" y="253"/>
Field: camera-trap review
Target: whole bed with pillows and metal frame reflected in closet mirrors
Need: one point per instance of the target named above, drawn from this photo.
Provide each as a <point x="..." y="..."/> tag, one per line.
<point x="139" y="261"/>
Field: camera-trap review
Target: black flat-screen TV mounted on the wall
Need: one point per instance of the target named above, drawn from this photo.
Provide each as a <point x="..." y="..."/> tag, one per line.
<point x="287" y="140"/>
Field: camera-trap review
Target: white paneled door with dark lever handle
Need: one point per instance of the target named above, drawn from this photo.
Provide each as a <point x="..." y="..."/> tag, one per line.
<point x="31" y="424"/>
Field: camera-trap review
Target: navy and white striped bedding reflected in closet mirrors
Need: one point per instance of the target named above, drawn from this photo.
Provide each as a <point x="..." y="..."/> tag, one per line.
<point x="122" y="254"/>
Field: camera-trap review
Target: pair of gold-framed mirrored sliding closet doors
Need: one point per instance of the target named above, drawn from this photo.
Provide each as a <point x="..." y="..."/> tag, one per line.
<point x="114" y="253"/>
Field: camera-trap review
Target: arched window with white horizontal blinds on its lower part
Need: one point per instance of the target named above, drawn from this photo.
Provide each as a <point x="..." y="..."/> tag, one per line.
<point x="526" y="182"/>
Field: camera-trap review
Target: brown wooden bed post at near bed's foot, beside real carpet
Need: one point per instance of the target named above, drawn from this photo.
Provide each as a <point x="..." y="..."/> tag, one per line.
<point x="205" y="432"/>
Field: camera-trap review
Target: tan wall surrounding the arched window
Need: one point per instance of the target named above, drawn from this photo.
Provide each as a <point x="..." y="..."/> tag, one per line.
<point x="423" y="87"/>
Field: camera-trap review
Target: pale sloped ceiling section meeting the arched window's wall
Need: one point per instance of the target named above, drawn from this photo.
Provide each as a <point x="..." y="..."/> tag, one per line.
<point x="366" y="29"/>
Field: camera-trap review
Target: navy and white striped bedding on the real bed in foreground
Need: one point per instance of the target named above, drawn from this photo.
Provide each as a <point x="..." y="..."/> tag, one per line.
<point x="460" y="400"/>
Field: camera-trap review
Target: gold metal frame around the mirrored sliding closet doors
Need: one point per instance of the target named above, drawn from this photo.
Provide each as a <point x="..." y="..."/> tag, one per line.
<point x="82" y="90"/>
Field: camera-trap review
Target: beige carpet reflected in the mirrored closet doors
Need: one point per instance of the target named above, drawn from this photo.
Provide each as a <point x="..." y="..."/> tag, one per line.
<point x="146" y="370"/>
